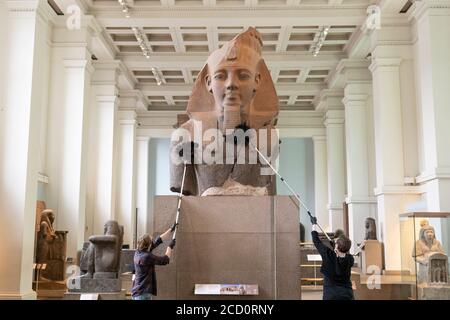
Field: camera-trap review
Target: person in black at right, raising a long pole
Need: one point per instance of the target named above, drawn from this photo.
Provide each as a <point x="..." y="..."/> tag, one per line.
<point x="336" y="266"/>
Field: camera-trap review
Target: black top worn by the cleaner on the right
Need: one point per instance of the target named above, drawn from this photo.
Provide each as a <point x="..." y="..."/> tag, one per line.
<point x="336" y="270"/>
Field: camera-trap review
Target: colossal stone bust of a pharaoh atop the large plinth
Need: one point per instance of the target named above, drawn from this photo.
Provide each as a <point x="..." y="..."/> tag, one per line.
<point x="232" y="111"/>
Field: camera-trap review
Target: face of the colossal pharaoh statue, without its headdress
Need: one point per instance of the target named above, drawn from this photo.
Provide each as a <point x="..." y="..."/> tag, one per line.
<point x="233" y="87"/>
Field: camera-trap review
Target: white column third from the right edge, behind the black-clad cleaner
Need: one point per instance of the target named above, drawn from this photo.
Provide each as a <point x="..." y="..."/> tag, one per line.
<point x="360" y="199"/>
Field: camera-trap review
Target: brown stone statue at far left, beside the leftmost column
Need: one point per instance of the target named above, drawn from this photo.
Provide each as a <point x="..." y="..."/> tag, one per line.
<point x="51" y="247"/>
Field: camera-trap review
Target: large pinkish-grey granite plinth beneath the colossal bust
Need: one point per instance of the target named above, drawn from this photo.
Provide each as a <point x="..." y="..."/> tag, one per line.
<point x="231" y="240"/>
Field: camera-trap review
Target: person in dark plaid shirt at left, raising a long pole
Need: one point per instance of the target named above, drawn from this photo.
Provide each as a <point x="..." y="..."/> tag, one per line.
<point x="144" y="283"/>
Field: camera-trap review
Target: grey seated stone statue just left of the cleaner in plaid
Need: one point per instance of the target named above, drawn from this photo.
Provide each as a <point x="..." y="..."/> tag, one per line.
<point x="101" y="255"/>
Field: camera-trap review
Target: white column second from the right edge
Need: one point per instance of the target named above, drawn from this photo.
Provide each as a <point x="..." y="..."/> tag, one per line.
<point x="392" y="195"/>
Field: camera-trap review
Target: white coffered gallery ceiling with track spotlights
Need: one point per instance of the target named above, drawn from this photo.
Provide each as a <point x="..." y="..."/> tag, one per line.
<point x="178" y="35"/>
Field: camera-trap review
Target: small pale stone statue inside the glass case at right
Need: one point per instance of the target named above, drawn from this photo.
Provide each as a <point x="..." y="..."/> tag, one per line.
<point x="426" y="246"/>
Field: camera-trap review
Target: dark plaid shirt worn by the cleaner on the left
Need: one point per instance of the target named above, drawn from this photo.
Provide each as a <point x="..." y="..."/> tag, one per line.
<point x="145" y="275"/>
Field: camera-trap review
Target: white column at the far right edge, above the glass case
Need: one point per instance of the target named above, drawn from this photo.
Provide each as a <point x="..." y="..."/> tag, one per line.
<point x="432" y="61"/>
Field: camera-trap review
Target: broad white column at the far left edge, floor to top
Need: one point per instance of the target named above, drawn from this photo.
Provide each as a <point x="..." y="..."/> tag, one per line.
<point x="21" y="104"/>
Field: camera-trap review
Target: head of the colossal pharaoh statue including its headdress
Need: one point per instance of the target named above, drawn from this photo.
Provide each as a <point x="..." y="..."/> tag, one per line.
<point x="235" y="85"/>
